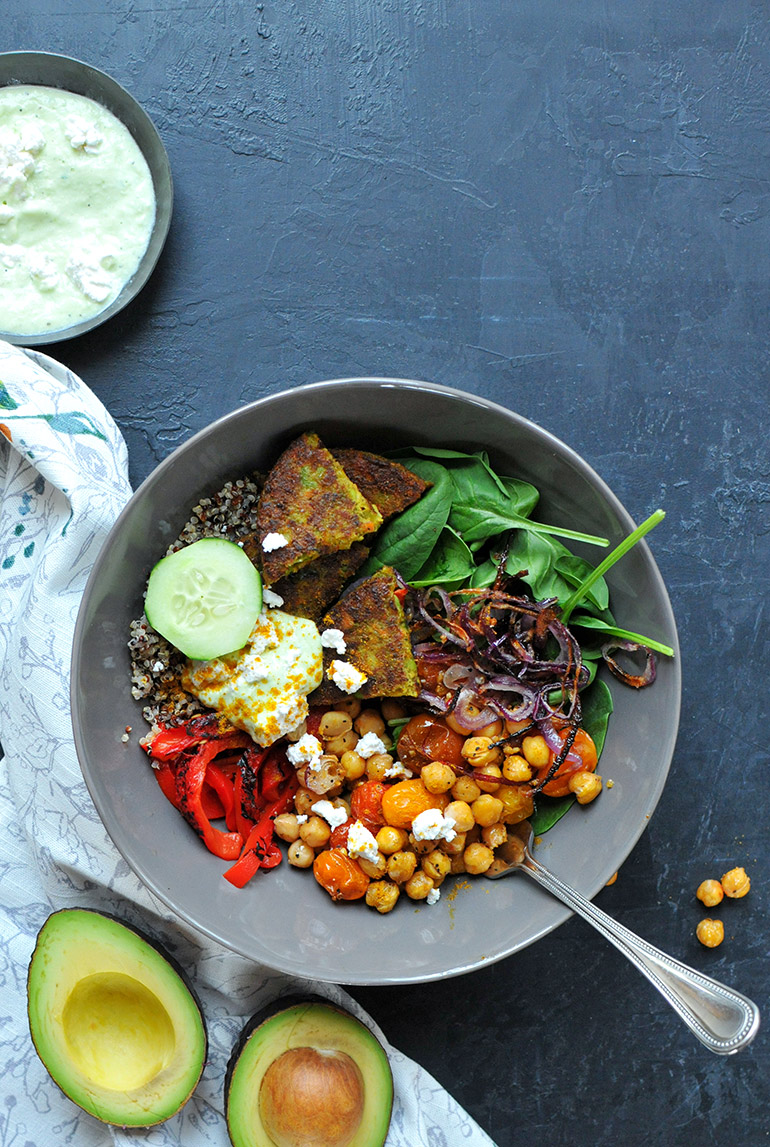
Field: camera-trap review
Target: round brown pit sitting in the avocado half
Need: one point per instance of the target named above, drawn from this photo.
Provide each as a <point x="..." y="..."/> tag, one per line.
<point x="313" y="1098"/>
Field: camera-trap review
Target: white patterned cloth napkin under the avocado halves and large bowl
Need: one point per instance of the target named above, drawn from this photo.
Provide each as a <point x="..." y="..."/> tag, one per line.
<point x="64" y="482"/>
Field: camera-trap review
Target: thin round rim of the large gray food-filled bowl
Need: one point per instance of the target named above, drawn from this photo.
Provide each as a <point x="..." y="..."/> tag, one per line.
<point x="562" y="912"/>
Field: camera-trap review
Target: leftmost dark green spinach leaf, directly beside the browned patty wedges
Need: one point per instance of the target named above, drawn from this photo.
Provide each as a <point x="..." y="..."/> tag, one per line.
<point x="407" y="542"/>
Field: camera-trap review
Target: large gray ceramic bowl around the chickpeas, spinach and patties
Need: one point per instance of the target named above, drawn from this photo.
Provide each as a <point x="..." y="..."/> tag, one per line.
<point x="283" y="918"/>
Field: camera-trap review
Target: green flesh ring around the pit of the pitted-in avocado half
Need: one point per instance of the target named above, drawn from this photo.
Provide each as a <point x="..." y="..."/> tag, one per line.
<point x="325" y="1029"/>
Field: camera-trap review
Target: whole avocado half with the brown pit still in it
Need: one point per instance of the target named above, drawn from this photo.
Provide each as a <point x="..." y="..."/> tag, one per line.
<point x="307" y="1074"/>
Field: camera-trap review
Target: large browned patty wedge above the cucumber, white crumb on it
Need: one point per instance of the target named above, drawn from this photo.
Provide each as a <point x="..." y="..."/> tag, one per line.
<point x="309" y="508"/>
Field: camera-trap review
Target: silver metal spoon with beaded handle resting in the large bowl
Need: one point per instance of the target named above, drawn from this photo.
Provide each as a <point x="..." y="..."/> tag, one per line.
<point x="722" y="1019"/>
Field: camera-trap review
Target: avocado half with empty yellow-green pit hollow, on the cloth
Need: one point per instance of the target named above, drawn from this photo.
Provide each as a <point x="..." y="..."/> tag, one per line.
<point x="113" y="1021"/>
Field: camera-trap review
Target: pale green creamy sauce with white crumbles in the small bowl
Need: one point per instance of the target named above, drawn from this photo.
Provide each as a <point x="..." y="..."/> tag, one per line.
<point x="77" y="208"/>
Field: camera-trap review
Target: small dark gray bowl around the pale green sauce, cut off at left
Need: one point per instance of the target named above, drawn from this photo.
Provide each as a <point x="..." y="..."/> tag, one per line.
<point x="51" y="71"/>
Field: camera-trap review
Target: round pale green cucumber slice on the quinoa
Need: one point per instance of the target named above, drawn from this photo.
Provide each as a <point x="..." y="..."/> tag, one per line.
<point x="205" y="598"/>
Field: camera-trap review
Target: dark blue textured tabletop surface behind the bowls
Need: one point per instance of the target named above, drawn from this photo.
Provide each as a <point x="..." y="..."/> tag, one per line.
<point x="566" y="208"/>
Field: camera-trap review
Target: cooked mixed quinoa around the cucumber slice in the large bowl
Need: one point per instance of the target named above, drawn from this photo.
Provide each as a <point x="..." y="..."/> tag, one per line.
<point x="157" y="666"/>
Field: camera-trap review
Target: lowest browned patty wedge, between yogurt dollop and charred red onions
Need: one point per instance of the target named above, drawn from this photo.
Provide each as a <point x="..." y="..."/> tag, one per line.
<point x="371" y="618"/>
